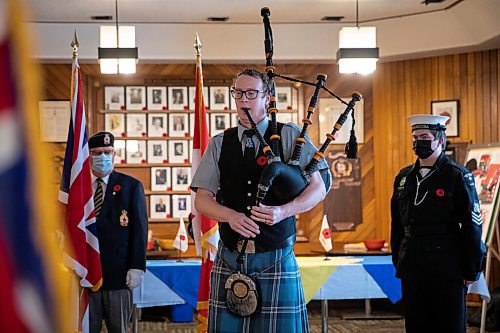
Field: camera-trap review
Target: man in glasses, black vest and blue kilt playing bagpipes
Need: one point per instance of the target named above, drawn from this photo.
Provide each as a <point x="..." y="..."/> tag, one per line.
<point x="255" y="281"/>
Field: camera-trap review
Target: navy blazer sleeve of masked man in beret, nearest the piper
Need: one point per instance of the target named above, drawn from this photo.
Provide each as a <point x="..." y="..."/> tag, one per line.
<point x="139" y="229"/>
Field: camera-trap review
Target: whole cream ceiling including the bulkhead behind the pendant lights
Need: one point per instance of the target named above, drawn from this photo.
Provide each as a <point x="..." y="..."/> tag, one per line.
<point x="165" y="29"/>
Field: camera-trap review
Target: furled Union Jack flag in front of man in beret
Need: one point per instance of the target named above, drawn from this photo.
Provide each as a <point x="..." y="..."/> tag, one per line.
<point x="77" y="196"/>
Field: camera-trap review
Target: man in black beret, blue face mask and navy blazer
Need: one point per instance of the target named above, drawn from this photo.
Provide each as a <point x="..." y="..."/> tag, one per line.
<point x="122" y="227"/>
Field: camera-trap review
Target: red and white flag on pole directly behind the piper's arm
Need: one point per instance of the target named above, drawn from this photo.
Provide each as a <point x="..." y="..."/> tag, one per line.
<point x="206" y="231"/>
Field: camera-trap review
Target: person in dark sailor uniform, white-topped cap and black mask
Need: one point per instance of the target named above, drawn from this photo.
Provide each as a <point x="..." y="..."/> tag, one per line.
<point x="436" y="233"/>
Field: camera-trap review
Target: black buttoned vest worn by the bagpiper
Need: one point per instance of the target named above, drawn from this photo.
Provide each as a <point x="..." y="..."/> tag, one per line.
<point x="238" y="188"/>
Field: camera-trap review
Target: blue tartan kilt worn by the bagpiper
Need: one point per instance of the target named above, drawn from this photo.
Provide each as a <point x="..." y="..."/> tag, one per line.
<point x="282" y="307"/>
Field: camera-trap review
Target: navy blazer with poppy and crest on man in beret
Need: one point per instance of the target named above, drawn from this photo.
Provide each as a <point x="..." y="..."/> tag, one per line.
<point x="122" y="229"/>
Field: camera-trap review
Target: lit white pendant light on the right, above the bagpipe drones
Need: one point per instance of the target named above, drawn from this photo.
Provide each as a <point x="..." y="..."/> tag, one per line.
<point x="358" y="51"/>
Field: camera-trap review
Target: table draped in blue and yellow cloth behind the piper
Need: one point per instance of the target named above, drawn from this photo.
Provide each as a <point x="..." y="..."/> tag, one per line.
<point x="170" y="282"/>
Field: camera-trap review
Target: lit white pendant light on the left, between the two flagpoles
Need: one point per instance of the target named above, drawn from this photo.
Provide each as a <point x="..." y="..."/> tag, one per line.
<point x="117" y="52"/>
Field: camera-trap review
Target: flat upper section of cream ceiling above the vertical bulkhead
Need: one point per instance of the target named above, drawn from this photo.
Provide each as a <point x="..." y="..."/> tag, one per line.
<point x="238" y="11"/>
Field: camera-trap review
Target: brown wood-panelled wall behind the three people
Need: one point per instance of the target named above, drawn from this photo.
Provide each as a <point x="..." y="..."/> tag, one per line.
<point x="395" y="91"/>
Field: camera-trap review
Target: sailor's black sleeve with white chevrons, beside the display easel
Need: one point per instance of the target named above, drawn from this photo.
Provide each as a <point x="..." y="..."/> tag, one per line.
<point x="469" y="215"/>
